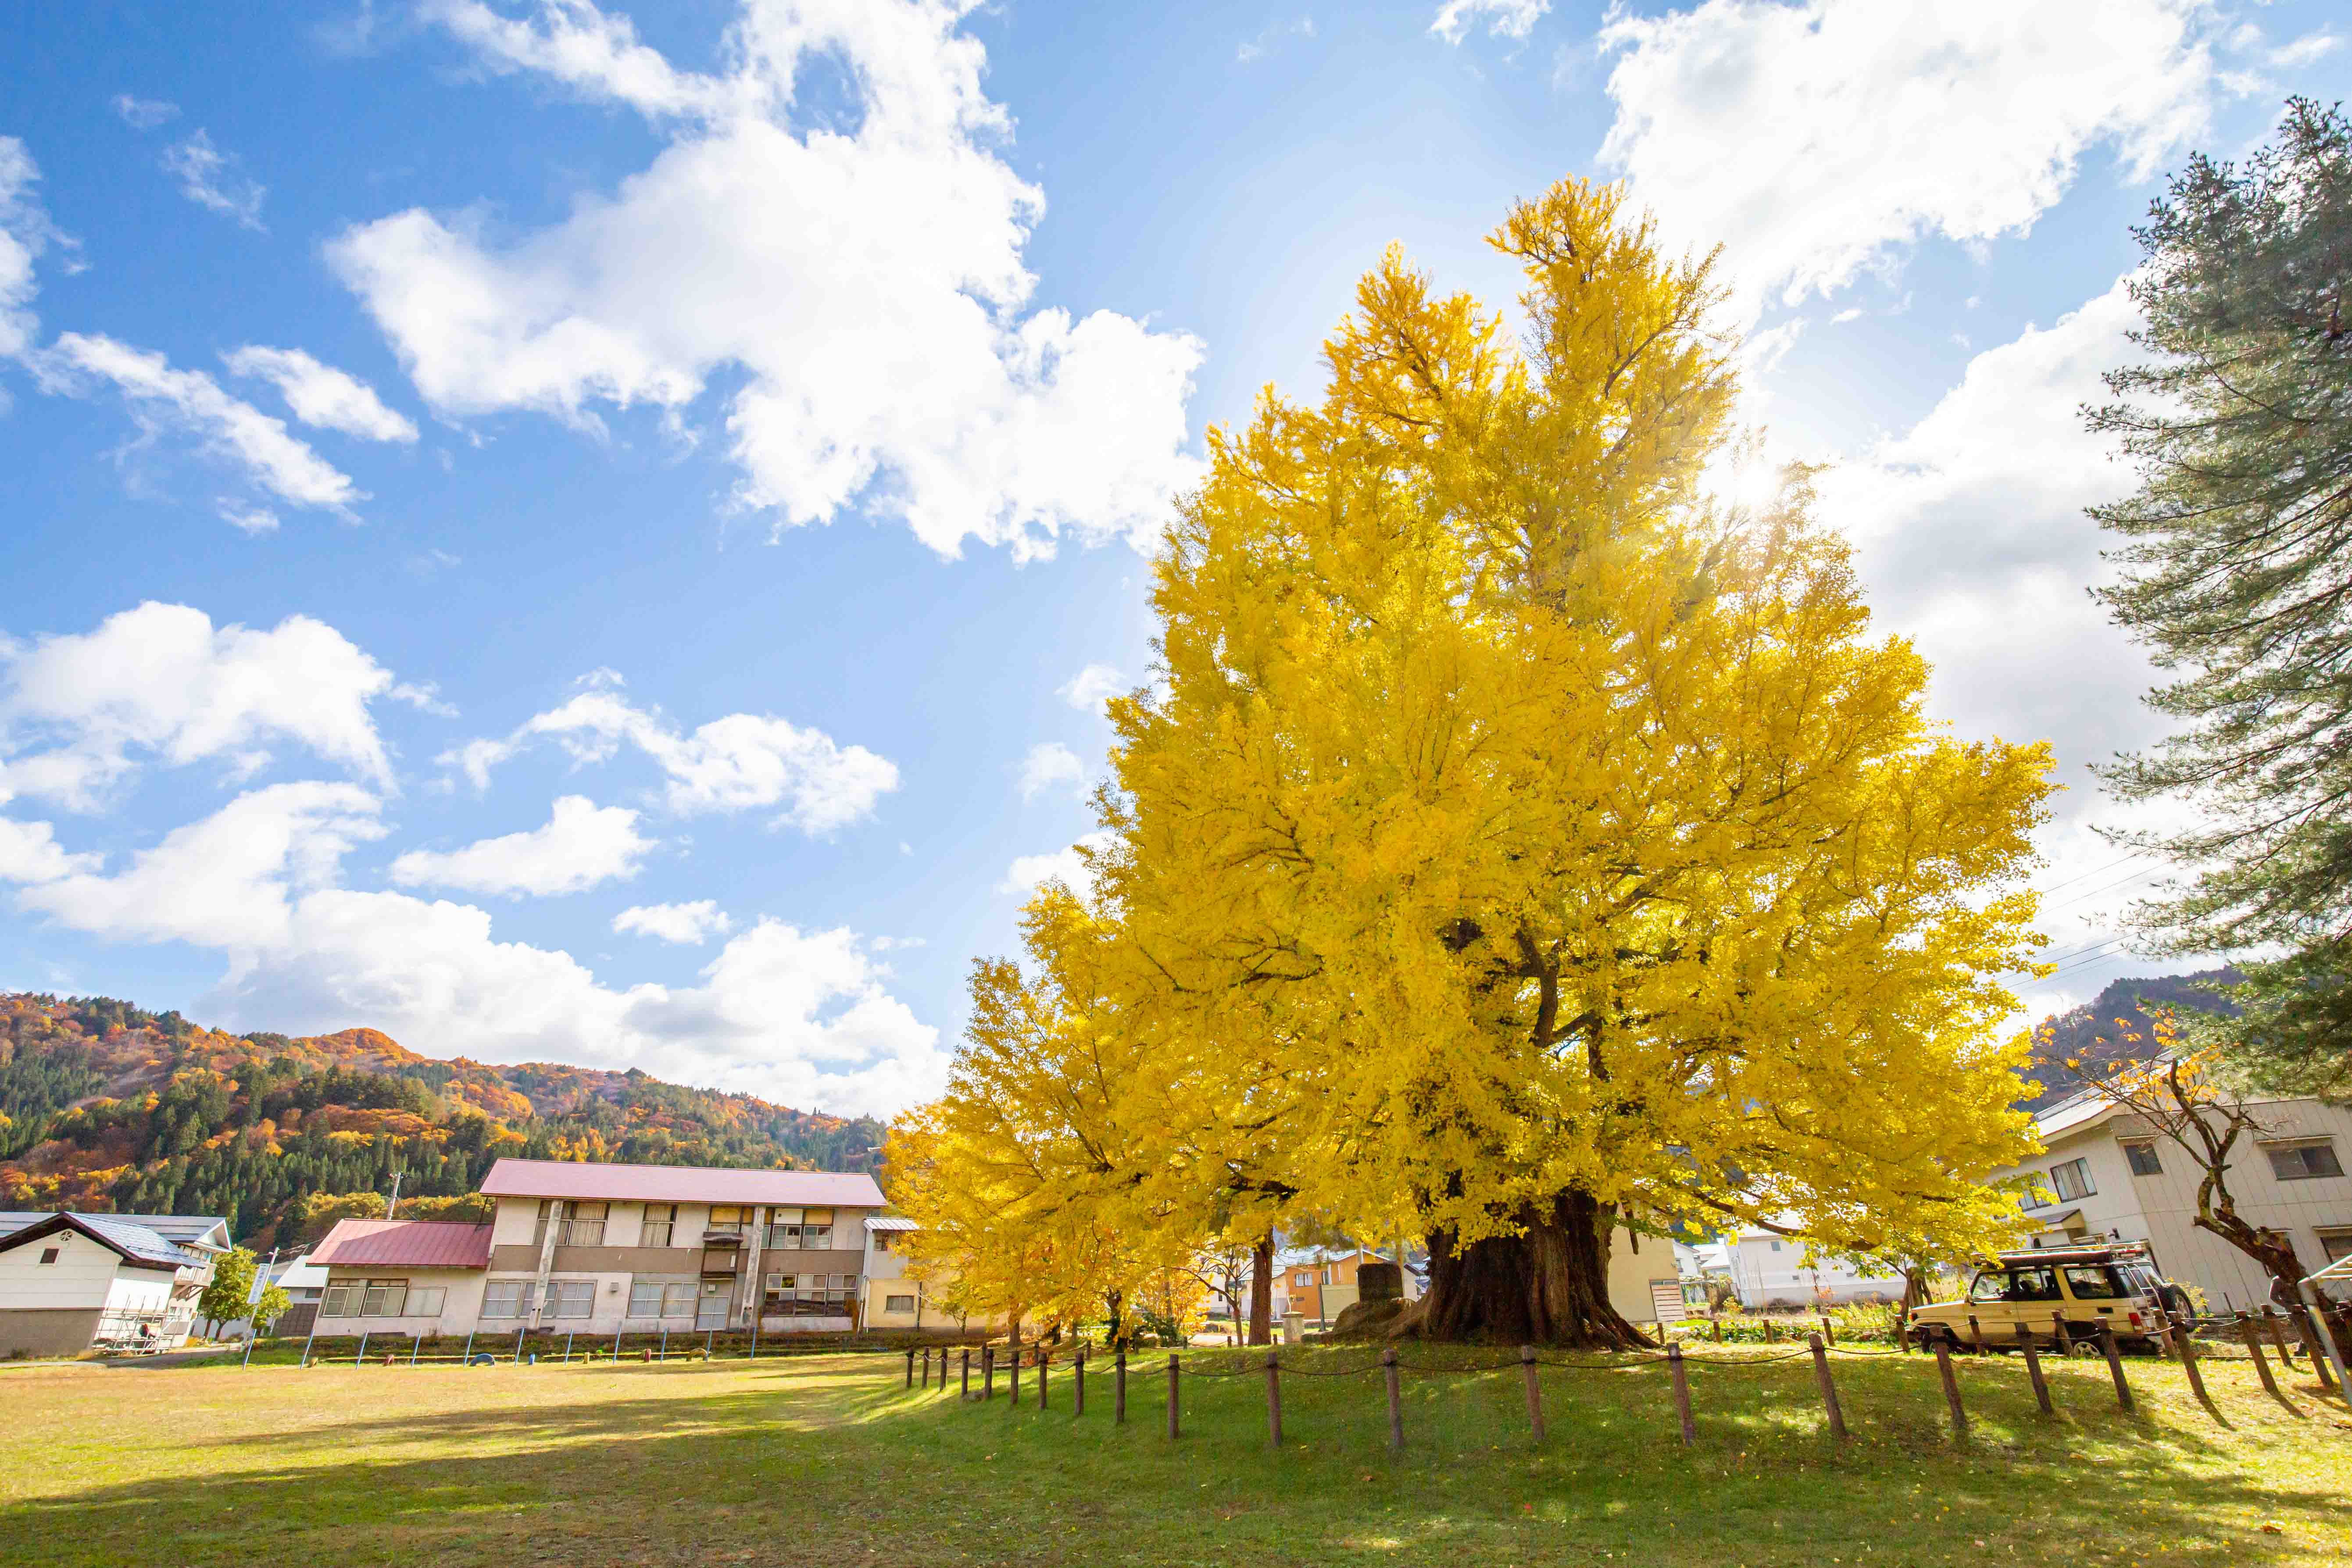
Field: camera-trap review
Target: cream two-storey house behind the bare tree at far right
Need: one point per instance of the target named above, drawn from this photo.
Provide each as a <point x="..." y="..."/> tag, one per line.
<point x="2106" y="1174"/>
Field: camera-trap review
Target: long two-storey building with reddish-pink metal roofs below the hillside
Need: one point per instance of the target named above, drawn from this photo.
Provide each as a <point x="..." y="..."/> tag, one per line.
<point x="617" y="1249"/>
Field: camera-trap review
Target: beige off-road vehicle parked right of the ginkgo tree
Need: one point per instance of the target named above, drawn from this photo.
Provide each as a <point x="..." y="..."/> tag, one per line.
<point x="2090" y="1287"/>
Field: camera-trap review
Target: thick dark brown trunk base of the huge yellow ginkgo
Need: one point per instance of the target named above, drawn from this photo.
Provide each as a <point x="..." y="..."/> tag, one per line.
<point x="1542" y="1287"/>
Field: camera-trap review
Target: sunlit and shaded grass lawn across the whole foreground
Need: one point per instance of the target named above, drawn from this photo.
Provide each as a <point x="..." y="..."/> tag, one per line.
<point x="831" y="1461"/>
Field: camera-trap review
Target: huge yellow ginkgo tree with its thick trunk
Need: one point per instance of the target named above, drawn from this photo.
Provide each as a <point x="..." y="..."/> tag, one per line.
<point x="1516" y="845"/>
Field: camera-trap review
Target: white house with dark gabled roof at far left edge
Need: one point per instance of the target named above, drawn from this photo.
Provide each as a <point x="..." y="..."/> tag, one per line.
<point x="74" y="1282"/>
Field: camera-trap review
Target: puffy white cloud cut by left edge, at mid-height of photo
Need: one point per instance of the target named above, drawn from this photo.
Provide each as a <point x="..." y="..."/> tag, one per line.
<point x="161" y="681"/>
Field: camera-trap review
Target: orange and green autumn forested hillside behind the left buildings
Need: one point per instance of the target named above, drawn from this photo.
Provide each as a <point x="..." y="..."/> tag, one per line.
<point x="112" y="1108"/>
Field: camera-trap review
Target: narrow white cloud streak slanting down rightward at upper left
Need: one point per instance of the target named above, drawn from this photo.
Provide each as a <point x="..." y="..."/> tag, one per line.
<point x="189" y="401"/>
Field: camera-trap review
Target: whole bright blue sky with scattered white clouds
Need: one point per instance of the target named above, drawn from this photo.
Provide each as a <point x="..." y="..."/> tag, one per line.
<point x="599" y="535"/>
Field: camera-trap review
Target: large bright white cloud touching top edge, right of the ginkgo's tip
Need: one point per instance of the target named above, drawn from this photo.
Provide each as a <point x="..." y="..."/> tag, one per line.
<point x="1822" y="138"/>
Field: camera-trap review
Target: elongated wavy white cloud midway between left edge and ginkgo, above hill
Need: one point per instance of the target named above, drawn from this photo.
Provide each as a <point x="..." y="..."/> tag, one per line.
<point x="737" y="763"/>
